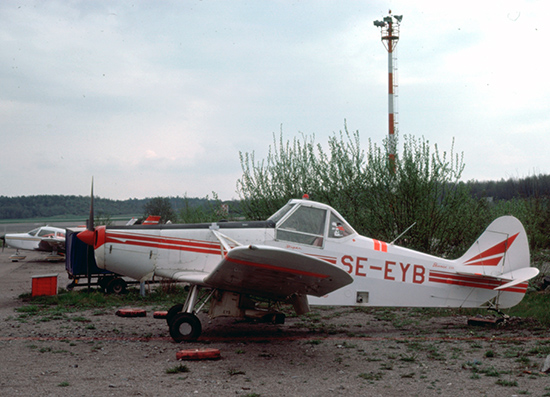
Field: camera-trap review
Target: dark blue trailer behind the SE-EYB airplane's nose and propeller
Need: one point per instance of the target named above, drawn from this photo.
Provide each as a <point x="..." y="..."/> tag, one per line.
<point x="82" y="268"/>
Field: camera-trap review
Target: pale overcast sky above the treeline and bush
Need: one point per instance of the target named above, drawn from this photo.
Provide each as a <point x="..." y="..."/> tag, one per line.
<point x="157" y="98"/>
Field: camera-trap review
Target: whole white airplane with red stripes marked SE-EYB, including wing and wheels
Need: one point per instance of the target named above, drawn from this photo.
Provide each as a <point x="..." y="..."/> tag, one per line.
<point x="307" y="253"/>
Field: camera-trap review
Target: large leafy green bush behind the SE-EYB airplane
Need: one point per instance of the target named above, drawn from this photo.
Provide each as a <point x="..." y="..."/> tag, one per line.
<point x="380" y="199"/>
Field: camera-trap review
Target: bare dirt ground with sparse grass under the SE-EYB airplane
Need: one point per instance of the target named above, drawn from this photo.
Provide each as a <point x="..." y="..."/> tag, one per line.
<point x="332" y="351"/>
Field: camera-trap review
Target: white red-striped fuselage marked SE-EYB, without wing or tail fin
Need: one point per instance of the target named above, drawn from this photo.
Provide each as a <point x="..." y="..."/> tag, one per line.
<point x="383" y="274"/>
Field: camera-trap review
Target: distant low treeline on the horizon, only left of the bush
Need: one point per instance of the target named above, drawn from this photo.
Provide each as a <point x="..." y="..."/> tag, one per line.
<point x="46" y="206"/>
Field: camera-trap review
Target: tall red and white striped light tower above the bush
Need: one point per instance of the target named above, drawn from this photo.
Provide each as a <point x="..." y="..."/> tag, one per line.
<point x="389" y="27"/>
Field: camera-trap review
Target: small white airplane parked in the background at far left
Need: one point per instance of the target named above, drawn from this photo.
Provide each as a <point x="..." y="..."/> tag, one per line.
<point x="44" y="238"/>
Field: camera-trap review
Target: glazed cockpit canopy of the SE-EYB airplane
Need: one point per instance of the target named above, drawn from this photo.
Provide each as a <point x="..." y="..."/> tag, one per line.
<point x="310" y="223"/>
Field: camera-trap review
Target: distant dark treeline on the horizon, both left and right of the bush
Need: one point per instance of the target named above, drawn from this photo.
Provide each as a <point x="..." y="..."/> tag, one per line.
<point x="45" y="206"/>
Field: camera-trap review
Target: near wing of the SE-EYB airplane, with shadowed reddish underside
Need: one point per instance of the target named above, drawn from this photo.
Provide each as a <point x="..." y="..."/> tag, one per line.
<point x="275" y="273"/>
